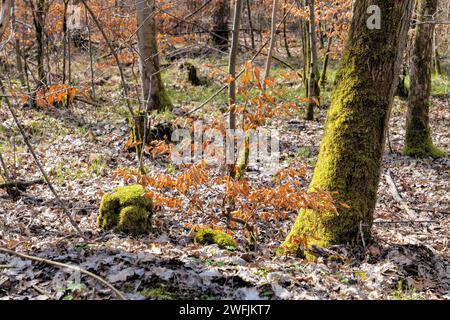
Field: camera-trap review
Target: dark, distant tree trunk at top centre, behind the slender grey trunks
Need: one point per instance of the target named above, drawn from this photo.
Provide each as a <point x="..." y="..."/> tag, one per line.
<point x="220" y="30"/>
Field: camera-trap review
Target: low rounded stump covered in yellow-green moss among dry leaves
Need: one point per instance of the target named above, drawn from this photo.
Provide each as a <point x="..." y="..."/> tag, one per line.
<point x="127" y="210"/>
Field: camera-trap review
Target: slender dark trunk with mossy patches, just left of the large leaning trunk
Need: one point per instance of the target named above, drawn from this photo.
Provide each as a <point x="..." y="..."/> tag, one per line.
<point x="313" y="78"/>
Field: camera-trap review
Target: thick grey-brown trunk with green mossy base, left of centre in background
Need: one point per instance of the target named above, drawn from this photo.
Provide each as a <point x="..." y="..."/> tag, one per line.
<point x="154" y="94"/>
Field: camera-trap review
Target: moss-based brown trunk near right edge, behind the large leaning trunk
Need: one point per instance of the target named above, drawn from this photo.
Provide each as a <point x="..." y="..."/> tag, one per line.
<point x="418" y="142"/>
